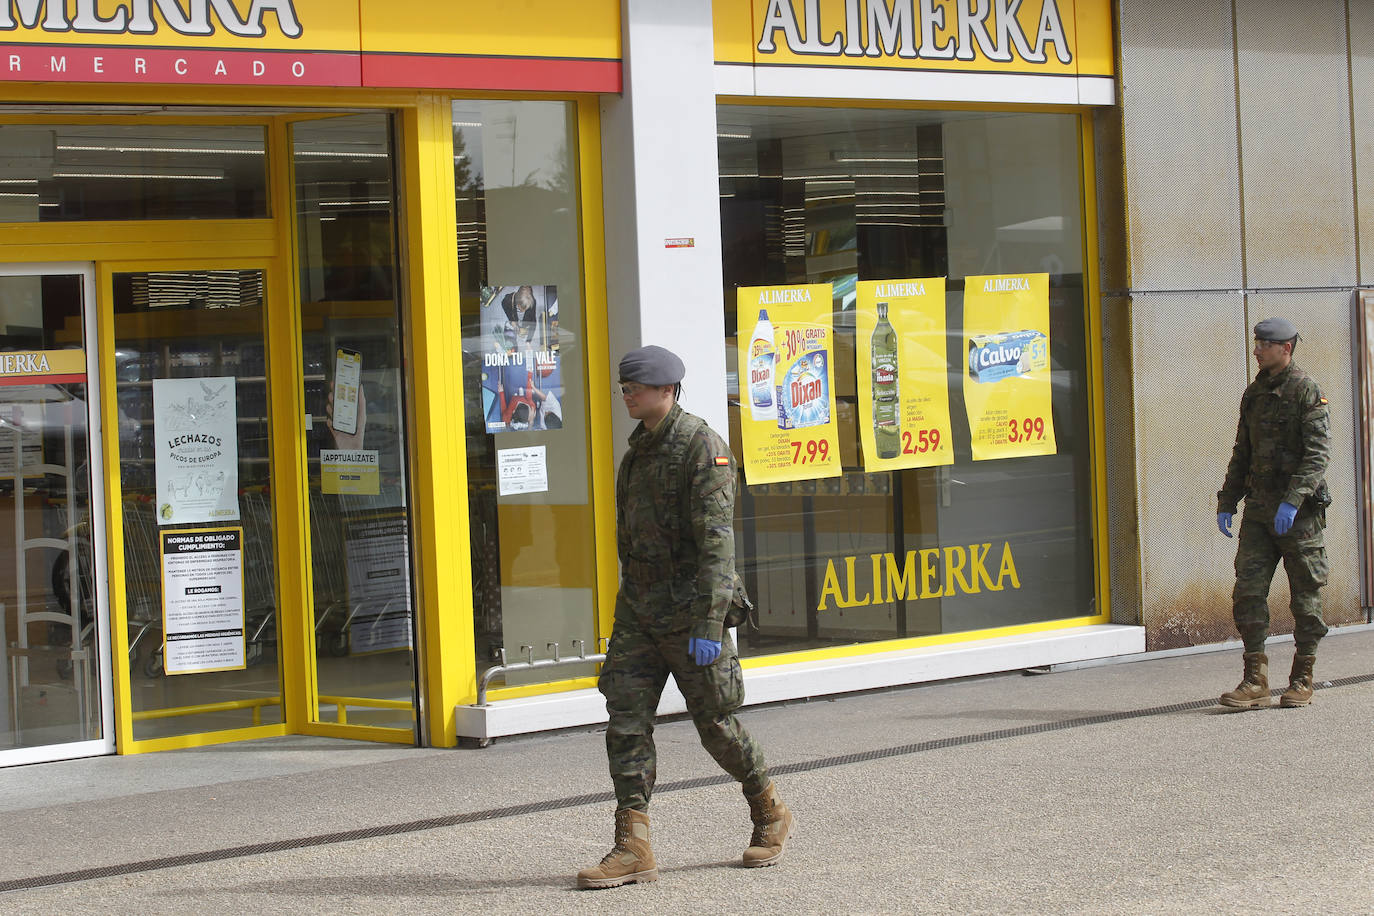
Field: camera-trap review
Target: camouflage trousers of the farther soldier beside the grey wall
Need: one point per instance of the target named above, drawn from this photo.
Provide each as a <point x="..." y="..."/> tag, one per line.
<point x="1303" y="551"/>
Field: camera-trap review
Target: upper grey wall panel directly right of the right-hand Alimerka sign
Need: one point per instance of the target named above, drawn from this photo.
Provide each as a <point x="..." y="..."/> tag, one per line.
<point x="1178" y="101"/>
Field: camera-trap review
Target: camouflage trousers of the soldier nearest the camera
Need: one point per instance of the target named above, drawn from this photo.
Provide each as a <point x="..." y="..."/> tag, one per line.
<point x="637" y="668"/>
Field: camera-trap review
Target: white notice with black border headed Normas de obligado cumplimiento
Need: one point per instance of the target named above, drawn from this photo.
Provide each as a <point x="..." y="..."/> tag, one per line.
<point x="203" y="601"/>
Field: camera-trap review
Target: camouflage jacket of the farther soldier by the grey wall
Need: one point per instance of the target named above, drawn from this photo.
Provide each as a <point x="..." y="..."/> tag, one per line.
<point x="1283" y="444"/>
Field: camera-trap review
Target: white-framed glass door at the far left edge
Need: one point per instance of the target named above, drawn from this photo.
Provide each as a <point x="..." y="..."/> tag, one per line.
<point x="56" y="698"/>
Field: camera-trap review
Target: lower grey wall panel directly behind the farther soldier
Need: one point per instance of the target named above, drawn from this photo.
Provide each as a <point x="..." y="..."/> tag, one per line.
<point x="1324" y="319"/>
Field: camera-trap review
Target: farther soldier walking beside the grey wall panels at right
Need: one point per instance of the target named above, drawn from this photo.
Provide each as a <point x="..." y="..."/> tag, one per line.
<point x="1279" y="466"/>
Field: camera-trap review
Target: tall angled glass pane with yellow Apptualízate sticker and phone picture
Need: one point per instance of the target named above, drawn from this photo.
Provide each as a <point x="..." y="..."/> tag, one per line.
<point x="357" y="444"/>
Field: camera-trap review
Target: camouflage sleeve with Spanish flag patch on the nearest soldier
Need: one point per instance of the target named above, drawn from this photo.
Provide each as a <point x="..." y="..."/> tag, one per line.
<point x="712" y="506"/>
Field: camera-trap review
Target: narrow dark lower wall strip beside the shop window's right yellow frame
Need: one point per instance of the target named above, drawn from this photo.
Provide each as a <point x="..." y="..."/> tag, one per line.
<point x="1123" y="529"/>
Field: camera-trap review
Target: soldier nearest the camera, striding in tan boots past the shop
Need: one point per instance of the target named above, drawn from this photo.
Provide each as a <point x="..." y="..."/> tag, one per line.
<point x="675" y="506"/>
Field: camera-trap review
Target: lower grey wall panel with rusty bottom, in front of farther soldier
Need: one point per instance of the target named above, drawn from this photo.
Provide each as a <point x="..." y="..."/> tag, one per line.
<point x="1188" y="395"/>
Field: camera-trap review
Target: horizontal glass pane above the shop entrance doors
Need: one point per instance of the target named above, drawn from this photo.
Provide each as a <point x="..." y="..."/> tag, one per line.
<point x="67" y="172"/>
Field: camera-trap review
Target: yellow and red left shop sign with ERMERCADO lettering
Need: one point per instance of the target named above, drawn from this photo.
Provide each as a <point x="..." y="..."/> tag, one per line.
<point x="543" y="45"/>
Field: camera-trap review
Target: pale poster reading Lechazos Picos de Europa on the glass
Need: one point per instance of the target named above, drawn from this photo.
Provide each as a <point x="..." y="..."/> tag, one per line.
<point x="196" y="424"/>
